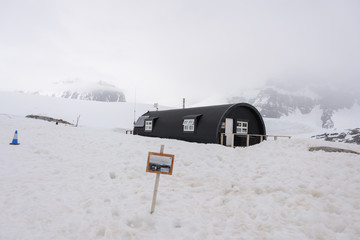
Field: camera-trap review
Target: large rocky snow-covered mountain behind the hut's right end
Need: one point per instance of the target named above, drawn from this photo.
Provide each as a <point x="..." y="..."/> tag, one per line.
<point x="274" y="102"/>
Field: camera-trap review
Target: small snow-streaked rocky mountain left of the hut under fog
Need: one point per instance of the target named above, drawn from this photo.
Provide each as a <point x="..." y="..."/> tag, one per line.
<point x="76" y="89"/>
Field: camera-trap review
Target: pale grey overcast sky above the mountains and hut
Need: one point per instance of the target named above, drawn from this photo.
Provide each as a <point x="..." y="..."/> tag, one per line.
<point x="168" y="50"/>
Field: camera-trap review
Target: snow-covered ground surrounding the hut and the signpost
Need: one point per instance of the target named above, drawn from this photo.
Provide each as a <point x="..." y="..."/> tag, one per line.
<point x="88" y="182"/>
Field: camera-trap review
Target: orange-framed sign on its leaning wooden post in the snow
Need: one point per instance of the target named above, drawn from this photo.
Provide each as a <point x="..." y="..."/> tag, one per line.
<point x="159" y="163"/>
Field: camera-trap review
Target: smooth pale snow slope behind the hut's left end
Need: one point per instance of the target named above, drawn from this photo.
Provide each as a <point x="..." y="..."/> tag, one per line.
<point x="92" y="113"/>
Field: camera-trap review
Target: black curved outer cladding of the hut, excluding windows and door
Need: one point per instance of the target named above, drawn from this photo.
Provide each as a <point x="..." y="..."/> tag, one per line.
<point x="169" y="123"/>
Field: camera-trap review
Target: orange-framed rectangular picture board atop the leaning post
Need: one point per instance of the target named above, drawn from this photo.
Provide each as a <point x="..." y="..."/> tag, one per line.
<point x="160" y="163"/>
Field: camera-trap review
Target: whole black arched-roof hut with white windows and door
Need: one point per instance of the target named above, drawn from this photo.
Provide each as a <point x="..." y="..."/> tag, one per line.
<point x="213" y="124"/>
